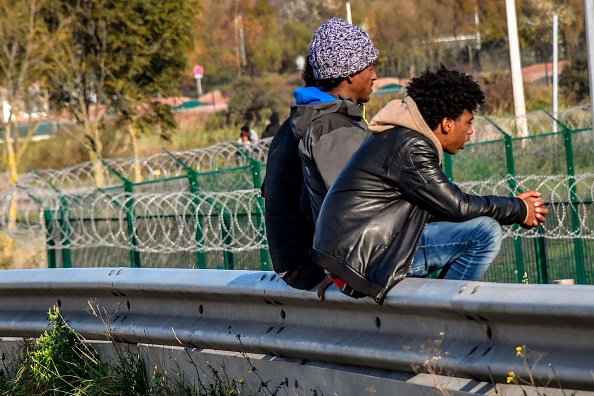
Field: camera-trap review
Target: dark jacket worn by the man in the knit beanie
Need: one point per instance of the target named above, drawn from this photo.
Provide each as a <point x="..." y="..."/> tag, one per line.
<point x="288" y="214"/>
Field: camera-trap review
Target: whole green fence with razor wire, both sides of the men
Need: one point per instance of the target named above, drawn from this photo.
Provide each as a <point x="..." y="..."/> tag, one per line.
<point x="202" y="208"/>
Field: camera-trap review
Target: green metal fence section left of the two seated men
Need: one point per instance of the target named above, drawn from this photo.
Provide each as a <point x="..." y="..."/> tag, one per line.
<point x="160" y="219"/>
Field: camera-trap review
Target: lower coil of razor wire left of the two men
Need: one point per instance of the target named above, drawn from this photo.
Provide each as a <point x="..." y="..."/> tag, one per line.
<point x="161" y="223"/>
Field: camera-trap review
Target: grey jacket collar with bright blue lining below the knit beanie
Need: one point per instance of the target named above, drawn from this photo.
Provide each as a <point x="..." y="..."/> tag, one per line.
<point x="312" y="103"/>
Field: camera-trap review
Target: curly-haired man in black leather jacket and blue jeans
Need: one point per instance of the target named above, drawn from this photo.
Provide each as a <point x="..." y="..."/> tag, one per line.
<point x="392" y="212"/>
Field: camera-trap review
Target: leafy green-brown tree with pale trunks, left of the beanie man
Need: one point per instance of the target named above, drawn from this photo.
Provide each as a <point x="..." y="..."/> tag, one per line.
<point x="117" y="56"/>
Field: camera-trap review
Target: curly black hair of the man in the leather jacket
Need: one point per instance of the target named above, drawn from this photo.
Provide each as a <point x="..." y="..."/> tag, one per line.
<point x="444" y="94"/>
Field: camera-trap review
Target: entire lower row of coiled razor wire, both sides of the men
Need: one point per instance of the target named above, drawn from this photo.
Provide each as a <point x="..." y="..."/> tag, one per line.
<point x="233" y="221"/>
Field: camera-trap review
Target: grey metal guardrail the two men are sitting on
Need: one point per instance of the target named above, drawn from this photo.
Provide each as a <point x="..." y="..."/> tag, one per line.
<point x="478" y="325"/>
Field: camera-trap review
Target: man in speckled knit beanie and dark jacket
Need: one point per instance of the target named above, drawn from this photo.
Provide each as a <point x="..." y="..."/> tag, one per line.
<point x="325" y="128"/>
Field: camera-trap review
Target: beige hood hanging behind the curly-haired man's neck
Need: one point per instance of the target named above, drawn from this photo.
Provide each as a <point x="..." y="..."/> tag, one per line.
<point x="404" y="113"/>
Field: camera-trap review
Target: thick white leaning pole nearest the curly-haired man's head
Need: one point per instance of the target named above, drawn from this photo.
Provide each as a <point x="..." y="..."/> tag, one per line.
<point x="516" y="68"/>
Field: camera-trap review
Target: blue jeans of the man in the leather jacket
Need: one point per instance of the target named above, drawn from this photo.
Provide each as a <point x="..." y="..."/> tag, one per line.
<point x="459" y="250"/>
